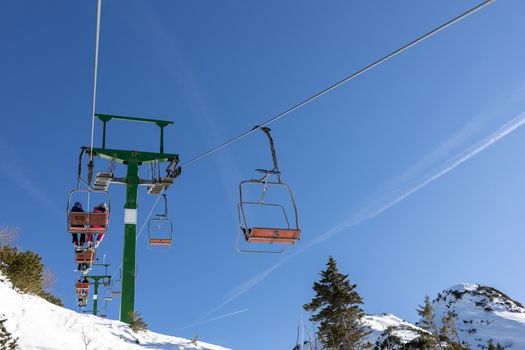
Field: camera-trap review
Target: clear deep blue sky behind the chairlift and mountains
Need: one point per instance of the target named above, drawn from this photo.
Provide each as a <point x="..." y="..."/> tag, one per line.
<point x="219" y="68"/>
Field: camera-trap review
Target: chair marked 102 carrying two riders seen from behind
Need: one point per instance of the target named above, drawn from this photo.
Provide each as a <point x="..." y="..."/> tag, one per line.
<point x="87" y="222"/>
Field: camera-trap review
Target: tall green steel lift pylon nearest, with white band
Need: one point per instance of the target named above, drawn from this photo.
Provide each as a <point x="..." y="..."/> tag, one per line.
<point x="133" y="160"/>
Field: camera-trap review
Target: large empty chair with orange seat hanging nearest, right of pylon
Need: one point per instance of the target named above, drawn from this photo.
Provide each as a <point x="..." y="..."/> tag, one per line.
<point x="288" y="232"/>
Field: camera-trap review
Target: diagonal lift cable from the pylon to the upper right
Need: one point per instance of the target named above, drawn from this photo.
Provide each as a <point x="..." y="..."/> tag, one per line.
<point x="343" y="81"/>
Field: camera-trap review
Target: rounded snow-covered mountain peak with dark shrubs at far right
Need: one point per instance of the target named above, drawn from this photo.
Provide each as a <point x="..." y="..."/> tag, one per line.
<point x="483" y="313"/>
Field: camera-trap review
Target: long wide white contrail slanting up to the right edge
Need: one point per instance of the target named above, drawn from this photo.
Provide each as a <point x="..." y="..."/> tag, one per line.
<point x="382" y="205"/>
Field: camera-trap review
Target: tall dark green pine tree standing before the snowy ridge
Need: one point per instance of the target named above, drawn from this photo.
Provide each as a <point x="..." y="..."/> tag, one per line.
<point x="336" y="307"/>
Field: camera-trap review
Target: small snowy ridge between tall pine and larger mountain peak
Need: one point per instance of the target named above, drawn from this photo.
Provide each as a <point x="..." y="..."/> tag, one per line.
<point x="381" y="325"/>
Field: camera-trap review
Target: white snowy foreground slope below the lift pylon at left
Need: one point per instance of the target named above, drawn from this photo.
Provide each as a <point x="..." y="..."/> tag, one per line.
<point x="41" y="325"/>
